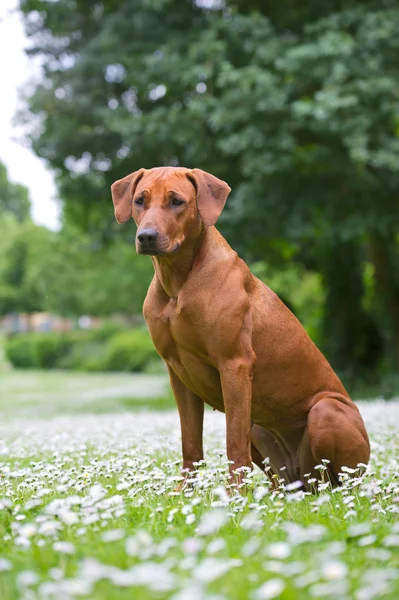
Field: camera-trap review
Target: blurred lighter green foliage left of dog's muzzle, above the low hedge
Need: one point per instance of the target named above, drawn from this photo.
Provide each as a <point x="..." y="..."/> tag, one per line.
<point x="68" y="273"/>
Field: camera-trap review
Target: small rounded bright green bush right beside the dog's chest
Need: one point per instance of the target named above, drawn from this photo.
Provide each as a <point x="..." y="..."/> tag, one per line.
<point x="130" y="351"/>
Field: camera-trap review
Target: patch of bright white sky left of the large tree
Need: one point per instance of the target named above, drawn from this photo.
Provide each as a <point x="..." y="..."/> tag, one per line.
<point x="22" y="164"/>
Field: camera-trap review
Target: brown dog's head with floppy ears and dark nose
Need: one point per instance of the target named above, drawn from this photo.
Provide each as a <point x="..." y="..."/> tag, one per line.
<point x="169" y="205"/>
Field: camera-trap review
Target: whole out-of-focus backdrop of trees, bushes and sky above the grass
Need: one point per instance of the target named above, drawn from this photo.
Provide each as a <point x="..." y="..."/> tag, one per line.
<point x="295" y="105"/>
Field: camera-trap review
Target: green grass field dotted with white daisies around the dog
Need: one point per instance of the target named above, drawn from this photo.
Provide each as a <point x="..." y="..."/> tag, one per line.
<point x="89" y="465"/>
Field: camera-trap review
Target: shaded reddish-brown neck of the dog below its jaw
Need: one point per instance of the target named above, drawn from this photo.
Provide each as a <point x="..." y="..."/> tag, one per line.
<point x="173" y="271"/>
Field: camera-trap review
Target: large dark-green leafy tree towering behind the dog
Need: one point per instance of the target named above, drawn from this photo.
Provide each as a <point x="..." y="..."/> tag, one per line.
<point x="296" y="107"/>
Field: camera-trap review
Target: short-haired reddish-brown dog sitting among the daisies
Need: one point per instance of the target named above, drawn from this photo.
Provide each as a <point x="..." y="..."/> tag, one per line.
<point x="229" y="341"/>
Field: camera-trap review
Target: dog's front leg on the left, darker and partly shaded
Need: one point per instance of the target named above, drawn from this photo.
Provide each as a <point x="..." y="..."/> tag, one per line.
<point x="191" y="412"/>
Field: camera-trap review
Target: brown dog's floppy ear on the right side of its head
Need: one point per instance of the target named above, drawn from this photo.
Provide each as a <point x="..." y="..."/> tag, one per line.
<point x="211" y="195"/>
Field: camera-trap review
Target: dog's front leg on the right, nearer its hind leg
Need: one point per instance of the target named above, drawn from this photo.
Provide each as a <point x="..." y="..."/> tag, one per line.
<point x="236" y="380"/>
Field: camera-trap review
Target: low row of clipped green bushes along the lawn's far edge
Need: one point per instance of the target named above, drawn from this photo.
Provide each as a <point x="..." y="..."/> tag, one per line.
<point x="93" y="350"/>
